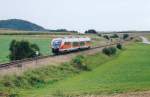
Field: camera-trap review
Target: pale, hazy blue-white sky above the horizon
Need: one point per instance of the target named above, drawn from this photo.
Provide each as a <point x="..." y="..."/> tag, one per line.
<point x="80" y="15"/>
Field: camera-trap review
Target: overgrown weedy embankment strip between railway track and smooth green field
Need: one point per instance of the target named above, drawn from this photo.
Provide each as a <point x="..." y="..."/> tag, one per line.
<point x="49" y="75"/>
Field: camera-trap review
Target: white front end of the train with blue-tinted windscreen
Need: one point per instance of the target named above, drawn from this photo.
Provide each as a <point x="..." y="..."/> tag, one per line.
<point x="55" y="44"/>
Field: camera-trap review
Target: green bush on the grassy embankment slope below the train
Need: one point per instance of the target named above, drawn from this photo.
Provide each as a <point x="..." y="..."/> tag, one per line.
<point x="78" y="62"/>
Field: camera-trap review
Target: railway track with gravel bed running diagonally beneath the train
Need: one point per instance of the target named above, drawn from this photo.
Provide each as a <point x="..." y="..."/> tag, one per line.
<point x="20" y="63"/>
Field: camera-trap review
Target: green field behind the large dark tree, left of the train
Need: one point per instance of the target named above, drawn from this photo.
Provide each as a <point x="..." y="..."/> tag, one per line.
<point x="43" y="43"/>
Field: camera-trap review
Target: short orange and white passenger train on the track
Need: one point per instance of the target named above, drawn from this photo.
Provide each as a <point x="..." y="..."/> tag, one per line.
<point x="69" y="44"/>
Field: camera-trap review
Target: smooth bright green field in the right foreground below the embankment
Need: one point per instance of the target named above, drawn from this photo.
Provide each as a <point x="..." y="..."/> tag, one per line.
<point x="129" y="72"/>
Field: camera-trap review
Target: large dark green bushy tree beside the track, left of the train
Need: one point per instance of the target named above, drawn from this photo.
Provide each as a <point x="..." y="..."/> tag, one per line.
<point x="22" y="49"/>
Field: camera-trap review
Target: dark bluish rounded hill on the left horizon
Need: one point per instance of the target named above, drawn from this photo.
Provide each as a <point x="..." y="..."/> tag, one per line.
<point x="17" y="24"/>
